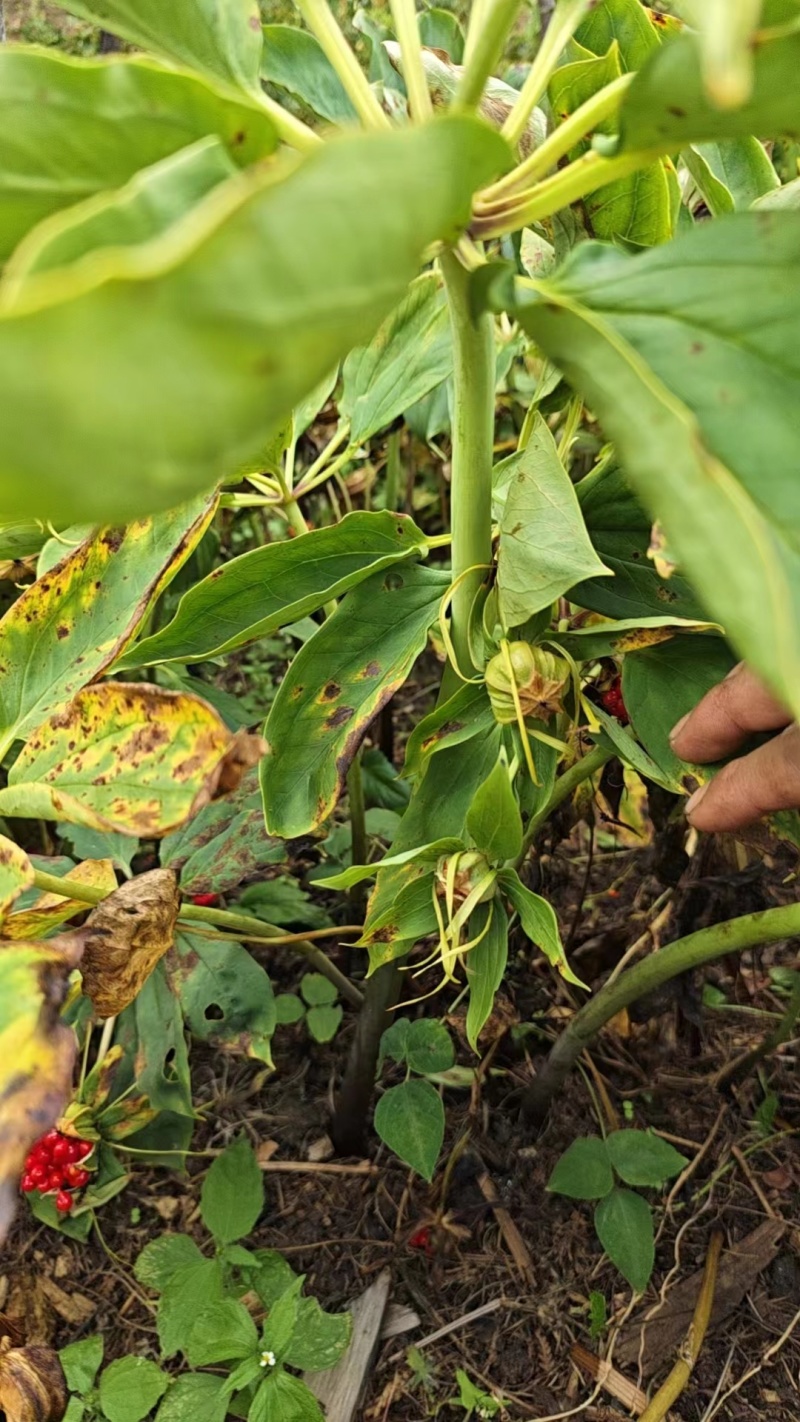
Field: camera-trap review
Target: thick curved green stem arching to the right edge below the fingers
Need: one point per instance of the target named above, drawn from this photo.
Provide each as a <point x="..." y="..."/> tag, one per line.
<point x="683" y="956"/>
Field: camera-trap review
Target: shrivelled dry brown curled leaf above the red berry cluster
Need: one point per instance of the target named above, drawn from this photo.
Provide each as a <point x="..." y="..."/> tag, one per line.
<point x="124" y="939"/>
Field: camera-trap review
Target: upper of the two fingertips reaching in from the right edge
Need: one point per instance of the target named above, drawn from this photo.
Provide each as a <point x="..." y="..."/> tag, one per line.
<point x="727" y="717"/>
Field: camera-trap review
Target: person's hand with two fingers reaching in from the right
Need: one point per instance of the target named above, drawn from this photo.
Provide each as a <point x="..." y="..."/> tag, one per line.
<point x="757" y="784"/>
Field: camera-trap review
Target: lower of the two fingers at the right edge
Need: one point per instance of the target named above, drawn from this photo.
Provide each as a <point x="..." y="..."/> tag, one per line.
<point x="755" y="786"/>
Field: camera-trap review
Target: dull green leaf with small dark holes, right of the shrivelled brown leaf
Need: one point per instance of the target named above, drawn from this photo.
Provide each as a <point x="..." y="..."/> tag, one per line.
<point x="225" y="996"/>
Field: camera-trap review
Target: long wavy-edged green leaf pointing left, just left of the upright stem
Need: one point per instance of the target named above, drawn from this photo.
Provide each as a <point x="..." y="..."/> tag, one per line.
<point x="272" y="587"/>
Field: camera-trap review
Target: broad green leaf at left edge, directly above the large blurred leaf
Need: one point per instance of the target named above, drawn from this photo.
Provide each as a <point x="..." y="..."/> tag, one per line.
<point x="73" y="129"/>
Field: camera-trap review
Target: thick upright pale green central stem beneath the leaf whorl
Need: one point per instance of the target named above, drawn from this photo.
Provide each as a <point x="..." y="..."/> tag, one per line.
<point x="474" y="436"/>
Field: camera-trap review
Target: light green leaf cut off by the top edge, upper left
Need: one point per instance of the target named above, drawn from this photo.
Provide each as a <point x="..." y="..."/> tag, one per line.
<point x="218" y="38"/>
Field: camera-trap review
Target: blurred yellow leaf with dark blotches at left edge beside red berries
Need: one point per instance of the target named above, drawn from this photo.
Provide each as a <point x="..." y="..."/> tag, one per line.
<point x="36" y="1053"/>
